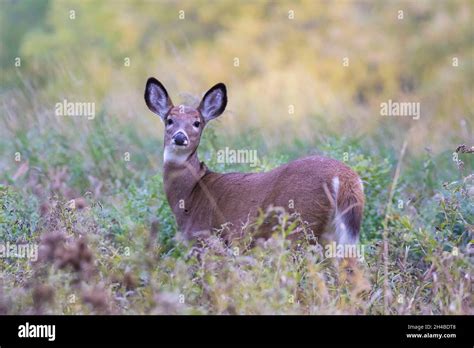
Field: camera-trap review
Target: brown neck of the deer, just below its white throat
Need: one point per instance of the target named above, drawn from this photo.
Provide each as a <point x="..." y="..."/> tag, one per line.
<point x="180" y="179"/>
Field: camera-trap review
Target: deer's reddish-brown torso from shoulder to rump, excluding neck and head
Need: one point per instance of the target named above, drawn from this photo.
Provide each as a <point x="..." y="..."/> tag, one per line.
<point x="303" y="186"/>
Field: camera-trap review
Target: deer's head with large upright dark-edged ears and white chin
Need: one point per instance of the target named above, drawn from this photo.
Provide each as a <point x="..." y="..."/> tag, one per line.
<point x="183" y="124"/>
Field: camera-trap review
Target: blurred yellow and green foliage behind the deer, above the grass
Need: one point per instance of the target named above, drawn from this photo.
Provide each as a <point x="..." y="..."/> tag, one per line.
<point x="333" y="62"/>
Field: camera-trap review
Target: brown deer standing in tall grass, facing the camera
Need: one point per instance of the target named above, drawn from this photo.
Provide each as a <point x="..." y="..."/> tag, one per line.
<point x="326" y="193"/>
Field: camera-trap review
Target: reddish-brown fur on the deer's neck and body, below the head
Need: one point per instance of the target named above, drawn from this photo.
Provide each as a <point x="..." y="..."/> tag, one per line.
<point x="207" y="200"/>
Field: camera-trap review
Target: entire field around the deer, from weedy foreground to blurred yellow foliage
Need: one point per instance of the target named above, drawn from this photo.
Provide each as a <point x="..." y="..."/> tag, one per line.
<point x="84" y="194"/>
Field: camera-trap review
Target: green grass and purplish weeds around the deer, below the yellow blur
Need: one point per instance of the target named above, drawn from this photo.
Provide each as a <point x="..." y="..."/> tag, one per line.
<point x="108" y="243"/>
